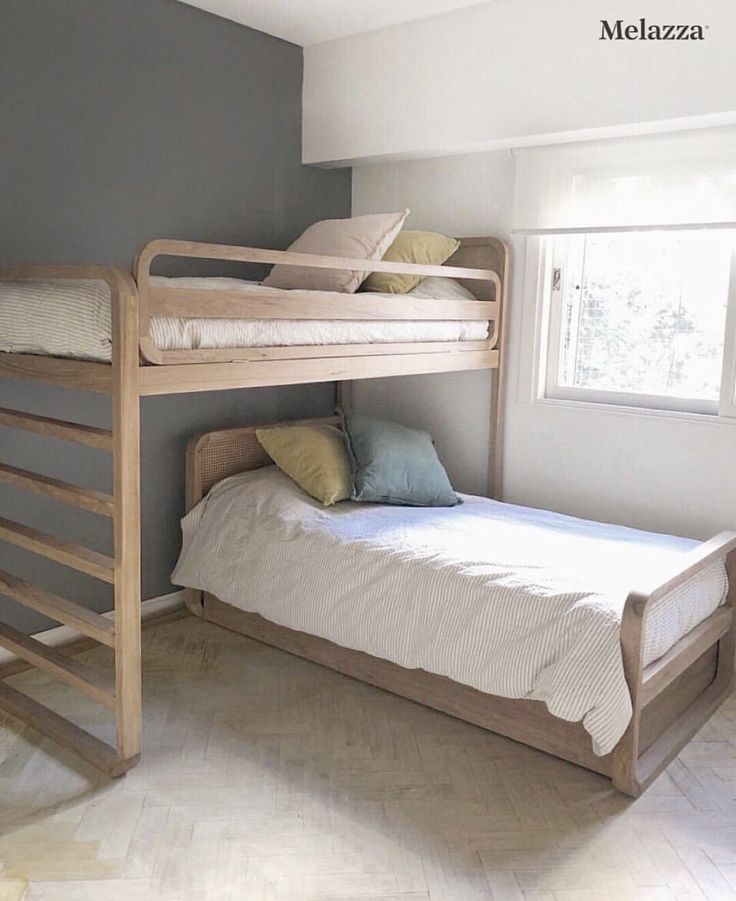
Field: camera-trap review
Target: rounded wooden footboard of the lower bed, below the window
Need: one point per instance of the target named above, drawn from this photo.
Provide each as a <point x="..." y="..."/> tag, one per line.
<point x="633" y="768"/>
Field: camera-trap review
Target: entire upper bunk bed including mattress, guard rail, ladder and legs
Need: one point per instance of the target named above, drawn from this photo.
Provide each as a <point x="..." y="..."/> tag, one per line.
<point x="100" y="329"/>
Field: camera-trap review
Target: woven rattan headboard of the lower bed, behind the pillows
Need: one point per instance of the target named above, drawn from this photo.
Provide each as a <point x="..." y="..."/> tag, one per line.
<point x="212" y="456"/>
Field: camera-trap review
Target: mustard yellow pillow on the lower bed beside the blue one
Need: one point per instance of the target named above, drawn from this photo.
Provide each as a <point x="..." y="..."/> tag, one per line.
<point x="315" y="456"/>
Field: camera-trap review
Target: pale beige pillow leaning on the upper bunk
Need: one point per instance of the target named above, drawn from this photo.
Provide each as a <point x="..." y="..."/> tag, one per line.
<point x="359" y="238"/>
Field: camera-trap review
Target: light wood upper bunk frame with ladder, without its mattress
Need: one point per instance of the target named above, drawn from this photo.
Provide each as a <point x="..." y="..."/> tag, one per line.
<point x="138" y="370"/>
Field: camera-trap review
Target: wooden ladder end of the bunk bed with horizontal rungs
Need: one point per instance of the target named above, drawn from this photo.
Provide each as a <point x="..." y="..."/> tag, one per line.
<point x="122" y="694"/>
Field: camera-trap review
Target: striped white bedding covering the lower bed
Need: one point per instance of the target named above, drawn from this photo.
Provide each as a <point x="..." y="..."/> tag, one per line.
<point x="513" y="601"/>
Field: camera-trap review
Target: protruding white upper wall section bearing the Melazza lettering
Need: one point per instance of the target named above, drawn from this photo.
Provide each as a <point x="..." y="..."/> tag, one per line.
<point x="512" y="72"/>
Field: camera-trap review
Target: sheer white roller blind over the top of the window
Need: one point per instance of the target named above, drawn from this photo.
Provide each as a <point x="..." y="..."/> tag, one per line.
<point x="688" y="179"/>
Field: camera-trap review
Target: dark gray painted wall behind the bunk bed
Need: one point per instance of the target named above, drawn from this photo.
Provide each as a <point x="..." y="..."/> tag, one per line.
<point x="121" y="122"/>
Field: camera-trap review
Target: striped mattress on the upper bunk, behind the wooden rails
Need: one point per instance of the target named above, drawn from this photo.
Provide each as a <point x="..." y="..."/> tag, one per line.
<point x="71" y="318"/>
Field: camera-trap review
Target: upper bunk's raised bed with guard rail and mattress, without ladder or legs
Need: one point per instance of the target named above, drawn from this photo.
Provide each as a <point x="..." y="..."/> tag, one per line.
<point x="214" y="333"/>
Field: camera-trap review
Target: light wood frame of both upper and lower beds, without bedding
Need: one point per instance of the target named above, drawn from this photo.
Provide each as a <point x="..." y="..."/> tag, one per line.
<point x="672" y="697"/>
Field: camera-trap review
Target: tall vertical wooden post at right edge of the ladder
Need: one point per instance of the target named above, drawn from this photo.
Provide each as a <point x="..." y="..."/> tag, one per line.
<point x="126" y="522"/>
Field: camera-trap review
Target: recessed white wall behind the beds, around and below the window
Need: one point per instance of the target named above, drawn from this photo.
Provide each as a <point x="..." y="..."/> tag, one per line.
<point x="667" y="473"/>
